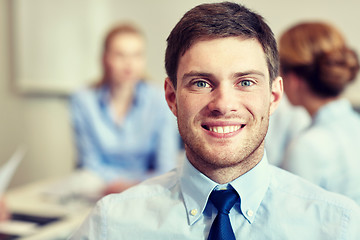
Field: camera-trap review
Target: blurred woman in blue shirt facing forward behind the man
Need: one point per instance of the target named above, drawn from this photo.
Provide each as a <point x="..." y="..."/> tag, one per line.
<point x="124" y="130"/>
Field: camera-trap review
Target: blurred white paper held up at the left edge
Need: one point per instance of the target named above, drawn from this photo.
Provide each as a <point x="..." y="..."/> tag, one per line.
<point x="8" y="169"/>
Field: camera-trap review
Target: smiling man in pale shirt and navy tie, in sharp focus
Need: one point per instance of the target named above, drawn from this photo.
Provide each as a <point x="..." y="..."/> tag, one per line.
<point x="223" y="85"/>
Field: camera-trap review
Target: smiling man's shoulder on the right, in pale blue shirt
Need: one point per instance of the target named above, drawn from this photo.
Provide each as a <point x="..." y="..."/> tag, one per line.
<point x="297" y="206"/>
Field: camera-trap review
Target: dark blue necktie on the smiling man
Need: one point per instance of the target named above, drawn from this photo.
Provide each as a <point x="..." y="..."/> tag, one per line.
<point x="223" y="200"/>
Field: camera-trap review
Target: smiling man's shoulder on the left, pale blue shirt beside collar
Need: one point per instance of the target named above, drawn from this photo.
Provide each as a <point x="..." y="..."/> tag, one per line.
<point x="152" y="209"/>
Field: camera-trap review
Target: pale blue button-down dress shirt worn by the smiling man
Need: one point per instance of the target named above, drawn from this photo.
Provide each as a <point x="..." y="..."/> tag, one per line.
<point x="274" y="204"/>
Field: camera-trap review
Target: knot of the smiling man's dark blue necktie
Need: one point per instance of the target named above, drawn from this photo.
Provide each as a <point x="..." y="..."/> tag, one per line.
<point x="224" y="200"/>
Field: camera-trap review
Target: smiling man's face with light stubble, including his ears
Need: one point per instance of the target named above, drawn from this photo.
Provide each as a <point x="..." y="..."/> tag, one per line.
<point x="223" y="101"/>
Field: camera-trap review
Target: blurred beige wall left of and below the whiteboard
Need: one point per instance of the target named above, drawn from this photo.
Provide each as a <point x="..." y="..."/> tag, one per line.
<point x="39" y="123"/>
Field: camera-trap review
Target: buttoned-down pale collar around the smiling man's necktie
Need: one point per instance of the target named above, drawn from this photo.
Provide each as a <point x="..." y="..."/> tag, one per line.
<point x="196" y="189"/>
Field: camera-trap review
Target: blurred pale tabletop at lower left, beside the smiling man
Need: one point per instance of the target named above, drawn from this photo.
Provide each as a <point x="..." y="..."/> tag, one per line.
<point x="35" y="199"/>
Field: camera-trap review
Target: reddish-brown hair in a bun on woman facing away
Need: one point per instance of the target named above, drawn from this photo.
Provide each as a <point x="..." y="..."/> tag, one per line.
<point x="317" y="52"/>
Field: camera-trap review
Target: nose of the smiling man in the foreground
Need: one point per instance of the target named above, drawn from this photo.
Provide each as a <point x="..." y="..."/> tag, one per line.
<point x="223" y="101"/>
